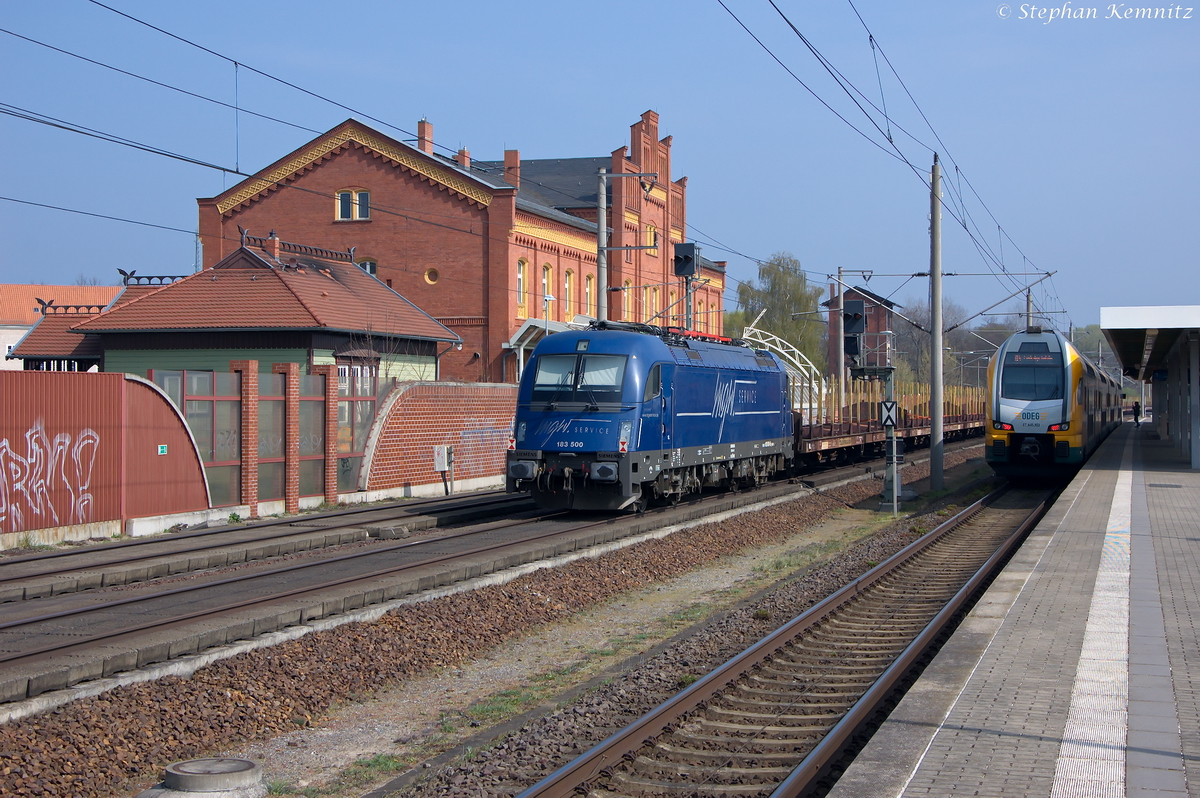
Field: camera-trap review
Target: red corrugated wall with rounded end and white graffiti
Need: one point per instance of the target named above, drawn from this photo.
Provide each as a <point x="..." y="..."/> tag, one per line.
<point x="81" y="448"/>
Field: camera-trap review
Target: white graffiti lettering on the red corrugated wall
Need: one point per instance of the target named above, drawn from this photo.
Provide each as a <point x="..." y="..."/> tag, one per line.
<point x="51" y="484"/>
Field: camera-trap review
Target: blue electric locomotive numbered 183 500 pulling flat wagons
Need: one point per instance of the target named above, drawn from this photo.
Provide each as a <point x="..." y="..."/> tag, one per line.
<point x="611" y="417"/>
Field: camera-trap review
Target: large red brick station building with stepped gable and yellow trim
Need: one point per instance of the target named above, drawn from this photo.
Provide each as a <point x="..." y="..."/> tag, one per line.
<point x="479" y="245"/>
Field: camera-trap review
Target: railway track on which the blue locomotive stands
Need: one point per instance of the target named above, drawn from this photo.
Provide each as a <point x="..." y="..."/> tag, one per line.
<point x="63" y="640"/>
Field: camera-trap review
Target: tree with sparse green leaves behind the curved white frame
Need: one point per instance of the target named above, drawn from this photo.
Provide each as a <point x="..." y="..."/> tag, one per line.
<point x="782" y="290"/>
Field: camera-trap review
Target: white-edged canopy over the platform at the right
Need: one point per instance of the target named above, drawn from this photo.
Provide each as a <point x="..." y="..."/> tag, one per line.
<point x="1144" y="338"/>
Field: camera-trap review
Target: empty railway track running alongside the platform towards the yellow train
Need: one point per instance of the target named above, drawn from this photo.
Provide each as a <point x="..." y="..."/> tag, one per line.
<point x="773" y="719"/>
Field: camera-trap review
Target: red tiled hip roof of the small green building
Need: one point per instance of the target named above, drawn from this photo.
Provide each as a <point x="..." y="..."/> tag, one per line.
<point x="248" y="291"/>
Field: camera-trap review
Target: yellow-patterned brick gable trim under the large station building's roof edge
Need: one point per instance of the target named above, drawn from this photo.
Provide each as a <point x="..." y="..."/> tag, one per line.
<point x="440" y="172"/>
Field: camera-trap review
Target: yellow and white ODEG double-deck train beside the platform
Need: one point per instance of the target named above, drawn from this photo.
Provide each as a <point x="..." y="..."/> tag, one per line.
<point x="1049" y="407"/>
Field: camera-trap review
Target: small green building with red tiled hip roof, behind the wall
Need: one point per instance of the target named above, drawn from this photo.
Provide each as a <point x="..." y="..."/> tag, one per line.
<point x="271" y="302"/>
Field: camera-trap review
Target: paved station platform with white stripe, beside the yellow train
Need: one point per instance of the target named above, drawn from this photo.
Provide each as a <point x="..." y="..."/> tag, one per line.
<point x="1078" y="674"/>
